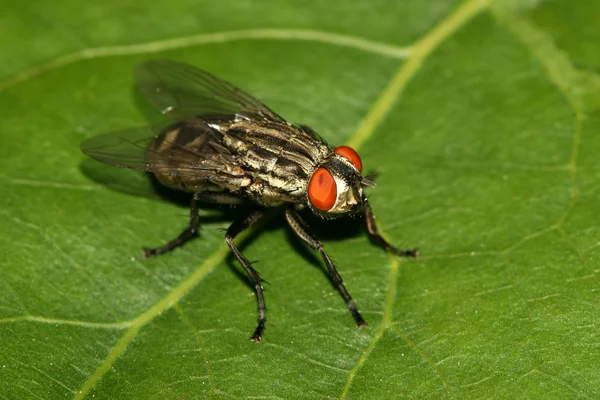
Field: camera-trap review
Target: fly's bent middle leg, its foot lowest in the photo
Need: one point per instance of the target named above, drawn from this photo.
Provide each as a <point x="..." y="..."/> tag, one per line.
<point x="235" y="229"/>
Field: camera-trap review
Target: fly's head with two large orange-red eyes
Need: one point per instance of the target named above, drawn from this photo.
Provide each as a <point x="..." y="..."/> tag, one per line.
<point x="335" y="188"/>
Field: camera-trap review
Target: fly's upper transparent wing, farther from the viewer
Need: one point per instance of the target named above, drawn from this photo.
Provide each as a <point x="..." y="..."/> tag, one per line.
<point x="181" y="91"/>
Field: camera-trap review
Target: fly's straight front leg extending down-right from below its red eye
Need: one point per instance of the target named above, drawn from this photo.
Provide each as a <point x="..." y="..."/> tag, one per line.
<point x="302" y="230"/>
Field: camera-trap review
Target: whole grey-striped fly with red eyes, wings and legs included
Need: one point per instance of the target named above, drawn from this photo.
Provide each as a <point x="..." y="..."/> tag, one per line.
<point x="226" y="147"/>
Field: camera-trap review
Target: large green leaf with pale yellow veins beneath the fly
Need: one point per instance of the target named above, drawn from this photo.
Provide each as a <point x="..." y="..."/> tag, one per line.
<point x="483" y="118"/>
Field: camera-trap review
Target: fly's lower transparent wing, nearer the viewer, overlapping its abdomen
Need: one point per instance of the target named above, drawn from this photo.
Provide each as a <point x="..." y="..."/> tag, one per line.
<point x="186" y="149"/>
